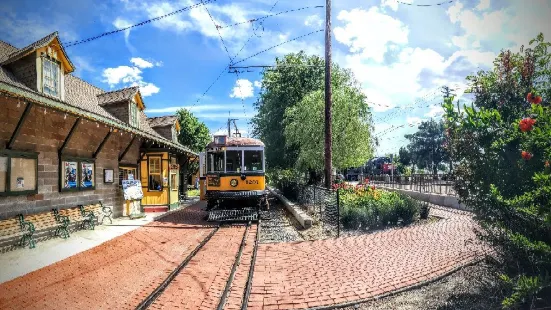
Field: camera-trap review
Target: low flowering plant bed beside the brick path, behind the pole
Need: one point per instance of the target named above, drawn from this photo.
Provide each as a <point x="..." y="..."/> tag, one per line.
<point x="370" y="208"/>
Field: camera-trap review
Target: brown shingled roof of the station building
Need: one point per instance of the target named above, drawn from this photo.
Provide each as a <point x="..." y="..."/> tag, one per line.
<point x="81" y="97"/>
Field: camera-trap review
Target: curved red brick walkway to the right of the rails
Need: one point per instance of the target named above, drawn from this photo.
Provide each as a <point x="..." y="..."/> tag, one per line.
<point x="337" y="271"/>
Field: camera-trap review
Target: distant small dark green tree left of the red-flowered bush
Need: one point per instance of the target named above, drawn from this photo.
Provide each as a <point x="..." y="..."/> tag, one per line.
<point x="427" y="145"/>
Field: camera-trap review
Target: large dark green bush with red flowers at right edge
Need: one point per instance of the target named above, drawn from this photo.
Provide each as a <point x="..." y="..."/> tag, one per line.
<point x="503" y="164"/>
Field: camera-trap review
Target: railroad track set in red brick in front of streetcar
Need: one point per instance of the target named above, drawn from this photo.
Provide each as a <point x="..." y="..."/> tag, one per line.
<point x="231" y="290"/>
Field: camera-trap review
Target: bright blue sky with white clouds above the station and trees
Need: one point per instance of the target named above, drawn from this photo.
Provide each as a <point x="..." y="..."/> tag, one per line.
<point x="400" y="54"/>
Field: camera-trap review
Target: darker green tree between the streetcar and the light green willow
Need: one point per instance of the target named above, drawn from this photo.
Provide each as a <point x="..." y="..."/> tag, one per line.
<point x="296" y="76"/>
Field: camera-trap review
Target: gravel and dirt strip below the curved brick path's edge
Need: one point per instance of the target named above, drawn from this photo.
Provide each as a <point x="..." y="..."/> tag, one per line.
<point x="473" y="287"/>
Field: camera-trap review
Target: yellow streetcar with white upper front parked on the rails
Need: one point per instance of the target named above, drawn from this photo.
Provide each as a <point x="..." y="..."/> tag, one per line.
<point x="233" y="173"/>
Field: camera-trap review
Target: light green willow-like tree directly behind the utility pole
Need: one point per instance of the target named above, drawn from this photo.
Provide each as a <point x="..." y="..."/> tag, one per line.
<point x="304" y="127"/>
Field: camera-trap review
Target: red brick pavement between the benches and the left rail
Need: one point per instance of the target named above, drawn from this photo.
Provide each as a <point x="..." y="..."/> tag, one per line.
<point x="117" y="274"/>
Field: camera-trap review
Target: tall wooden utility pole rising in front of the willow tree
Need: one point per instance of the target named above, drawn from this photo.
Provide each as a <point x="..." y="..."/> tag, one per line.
<point x="328" y="102"/>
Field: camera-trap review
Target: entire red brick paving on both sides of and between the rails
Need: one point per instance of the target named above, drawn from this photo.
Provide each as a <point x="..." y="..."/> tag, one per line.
<point x="120" y="273"/>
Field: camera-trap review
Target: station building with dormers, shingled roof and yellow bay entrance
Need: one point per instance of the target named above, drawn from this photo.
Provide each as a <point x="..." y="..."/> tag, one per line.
<point x="65" y="142"/>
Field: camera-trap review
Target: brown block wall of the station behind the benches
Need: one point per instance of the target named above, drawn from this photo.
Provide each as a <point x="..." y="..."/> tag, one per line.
<point x="45" y="133"/>
